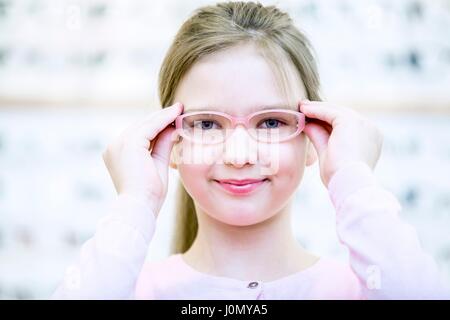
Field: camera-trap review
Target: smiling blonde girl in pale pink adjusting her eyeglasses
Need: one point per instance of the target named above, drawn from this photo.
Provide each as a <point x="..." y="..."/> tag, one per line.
<point x="235" y="71"/>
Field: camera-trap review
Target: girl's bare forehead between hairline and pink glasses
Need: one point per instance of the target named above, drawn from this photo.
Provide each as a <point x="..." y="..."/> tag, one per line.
<point x="237" y="81"/>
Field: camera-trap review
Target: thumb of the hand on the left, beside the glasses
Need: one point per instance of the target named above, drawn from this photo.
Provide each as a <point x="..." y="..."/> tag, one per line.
<point x="162" y="148"/>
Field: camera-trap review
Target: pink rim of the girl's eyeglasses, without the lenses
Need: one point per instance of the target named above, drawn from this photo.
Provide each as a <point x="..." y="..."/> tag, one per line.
<point x="244" y="120"/>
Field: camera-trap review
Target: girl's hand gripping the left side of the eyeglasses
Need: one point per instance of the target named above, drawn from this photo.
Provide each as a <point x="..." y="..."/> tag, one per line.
<point x="138" y="159"/>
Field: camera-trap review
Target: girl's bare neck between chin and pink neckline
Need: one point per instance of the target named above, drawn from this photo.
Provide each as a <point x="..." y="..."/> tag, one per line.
<point x="266" y="251"/>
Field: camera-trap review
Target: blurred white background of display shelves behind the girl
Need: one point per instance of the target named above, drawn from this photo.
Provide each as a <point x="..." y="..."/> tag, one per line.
<point x="74" y="74"/>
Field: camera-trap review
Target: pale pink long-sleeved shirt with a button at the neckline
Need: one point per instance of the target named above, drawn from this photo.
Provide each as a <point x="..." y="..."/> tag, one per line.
<point x="386" y="260"/>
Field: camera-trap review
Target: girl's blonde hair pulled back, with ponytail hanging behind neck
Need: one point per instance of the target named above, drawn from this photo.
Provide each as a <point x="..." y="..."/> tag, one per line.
<point x="216" y="27"/>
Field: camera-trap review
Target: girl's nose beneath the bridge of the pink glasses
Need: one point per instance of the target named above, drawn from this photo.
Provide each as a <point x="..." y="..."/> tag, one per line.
<point x="240" y="148"/>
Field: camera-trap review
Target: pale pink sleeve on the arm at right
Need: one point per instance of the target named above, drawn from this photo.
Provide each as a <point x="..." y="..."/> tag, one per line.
<point x="384" y="251"/>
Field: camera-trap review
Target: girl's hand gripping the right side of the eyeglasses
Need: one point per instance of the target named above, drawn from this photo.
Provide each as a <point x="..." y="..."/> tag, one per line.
<point x="340" y="136"/>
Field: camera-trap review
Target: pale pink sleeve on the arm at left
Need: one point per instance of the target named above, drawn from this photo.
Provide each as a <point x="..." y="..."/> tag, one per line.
<point x="110" y="262"/>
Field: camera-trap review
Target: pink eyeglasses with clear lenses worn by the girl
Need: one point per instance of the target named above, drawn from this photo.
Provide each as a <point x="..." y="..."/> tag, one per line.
<point x="268" y="126"/>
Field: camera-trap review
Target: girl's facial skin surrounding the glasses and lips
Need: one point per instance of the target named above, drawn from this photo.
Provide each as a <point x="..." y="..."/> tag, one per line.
<point x="239" y="81"/>
